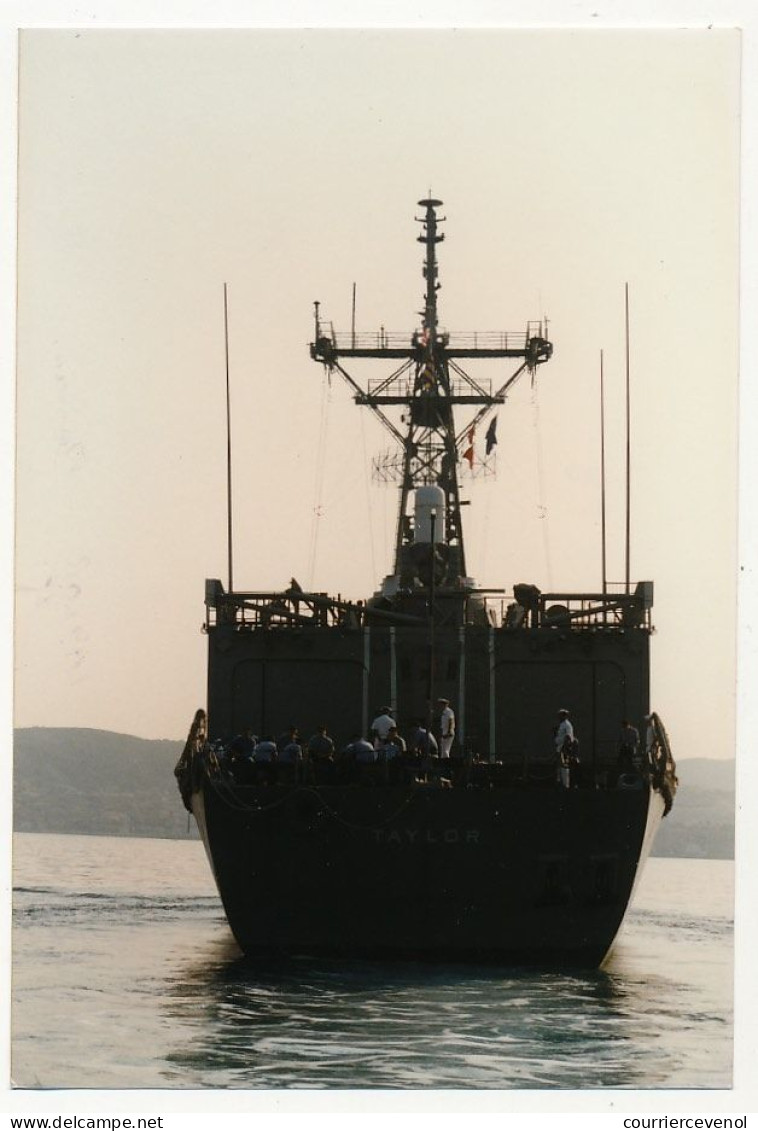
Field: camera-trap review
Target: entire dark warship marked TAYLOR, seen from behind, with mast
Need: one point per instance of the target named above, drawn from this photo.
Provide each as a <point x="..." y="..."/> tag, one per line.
<point x="518" y="848"/>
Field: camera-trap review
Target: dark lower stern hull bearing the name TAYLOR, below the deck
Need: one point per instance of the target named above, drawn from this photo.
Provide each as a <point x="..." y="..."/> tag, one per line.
<point x="528" y="877"/>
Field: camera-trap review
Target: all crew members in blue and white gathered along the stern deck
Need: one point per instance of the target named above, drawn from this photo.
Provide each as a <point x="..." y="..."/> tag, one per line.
<point x="387" y="757"/>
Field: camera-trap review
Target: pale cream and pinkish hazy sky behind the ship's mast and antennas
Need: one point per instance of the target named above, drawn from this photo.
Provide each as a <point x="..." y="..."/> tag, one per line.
<point x="157" y="166"/>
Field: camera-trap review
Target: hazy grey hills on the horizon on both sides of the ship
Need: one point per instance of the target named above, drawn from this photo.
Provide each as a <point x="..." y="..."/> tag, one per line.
<point x="97" y="782"/>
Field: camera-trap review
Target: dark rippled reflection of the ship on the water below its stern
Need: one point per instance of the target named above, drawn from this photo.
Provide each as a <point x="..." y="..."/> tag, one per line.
<point x="312" y="1024"/>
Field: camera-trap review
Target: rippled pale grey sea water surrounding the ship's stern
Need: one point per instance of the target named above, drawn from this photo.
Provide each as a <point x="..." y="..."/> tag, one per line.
<point x="125" y="975"/>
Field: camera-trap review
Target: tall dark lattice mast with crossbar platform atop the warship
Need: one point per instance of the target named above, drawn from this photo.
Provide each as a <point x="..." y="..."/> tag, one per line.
<point x="428" y="384"/>
